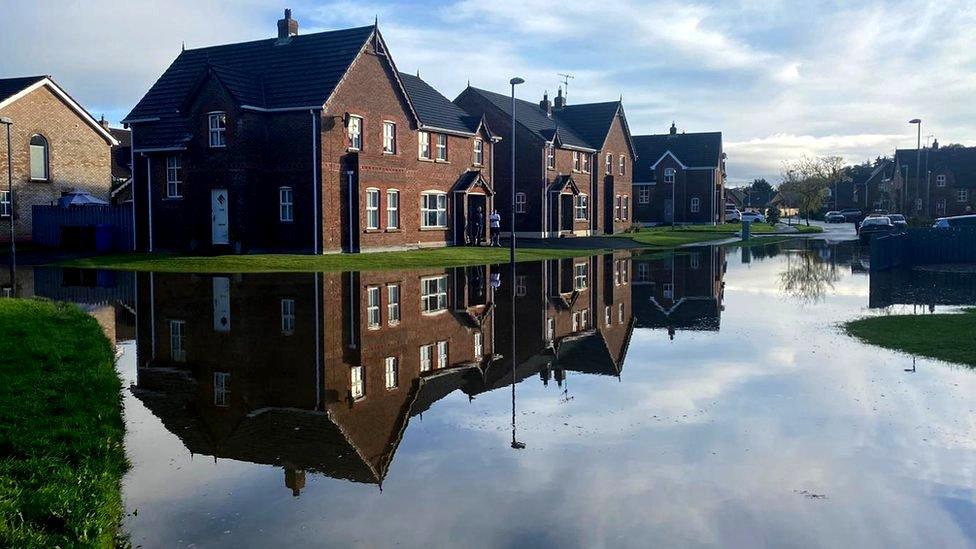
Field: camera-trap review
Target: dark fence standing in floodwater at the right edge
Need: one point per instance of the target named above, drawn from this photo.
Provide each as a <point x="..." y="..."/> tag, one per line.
<point x="924" y="247"/>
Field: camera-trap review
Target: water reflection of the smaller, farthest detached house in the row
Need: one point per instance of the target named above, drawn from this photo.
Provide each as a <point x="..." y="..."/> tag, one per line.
<point x="681" y="291"/>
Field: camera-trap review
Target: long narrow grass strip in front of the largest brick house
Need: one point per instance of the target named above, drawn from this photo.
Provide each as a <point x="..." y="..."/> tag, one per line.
<point x="271" y="263"/>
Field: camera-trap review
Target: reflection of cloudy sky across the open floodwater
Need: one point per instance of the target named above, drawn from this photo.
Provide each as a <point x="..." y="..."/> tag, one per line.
<point x="716" y="438"/>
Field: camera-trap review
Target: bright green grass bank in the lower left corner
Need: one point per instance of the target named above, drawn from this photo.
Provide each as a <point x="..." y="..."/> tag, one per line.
<point x="61" y="428"/>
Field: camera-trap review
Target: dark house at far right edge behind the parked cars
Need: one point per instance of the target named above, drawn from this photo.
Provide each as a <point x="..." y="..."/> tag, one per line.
<point x="943" y="184"/>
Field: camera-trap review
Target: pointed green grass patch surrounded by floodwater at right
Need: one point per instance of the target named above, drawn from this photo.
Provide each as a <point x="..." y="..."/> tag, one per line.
<point x="948" y="337"/>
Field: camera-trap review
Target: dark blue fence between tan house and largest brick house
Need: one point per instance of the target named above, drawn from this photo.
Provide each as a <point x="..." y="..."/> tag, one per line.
<point x="91" y="228"/>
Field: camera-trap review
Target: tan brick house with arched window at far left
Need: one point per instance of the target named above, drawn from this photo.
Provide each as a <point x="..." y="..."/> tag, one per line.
<point x="57" y="148"/>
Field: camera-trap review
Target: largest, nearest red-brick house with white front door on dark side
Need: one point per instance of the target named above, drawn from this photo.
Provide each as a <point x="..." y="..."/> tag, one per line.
<point x="312" y="143"/>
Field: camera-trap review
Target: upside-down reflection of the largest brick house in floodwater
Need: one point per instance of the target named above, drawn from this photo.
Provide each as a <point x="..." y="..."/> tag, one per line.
<point x="309" y="372"/>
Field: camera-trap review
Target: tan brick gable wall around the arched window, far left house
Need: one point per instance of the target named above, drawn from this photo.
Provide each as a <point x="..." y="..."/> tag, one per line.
<point x="79" y="157"/>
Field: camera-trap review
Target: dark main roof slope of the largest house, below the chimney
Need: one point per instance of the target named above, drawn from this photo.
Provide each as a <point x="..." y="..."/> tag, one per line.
<point x="301" y="73"/>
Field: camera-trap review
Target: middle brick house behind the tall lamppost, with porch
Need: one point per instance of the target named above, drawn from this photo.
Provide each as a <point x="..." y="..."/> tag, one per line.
<point x="573" y="163"/>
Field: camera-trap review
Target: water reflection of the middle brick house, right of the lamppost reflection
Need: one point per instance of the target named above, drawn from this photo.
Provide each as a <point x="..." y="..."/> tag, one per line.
<point x="573" y="315"/>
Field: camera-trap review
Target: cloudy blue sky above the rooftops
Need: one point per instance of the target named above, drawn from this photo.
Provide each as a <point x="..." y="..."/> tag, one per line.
<point x="779" y="79"/>
